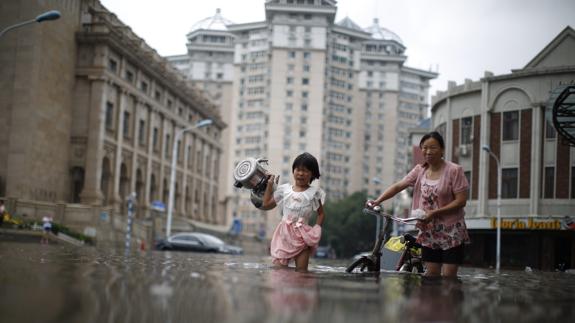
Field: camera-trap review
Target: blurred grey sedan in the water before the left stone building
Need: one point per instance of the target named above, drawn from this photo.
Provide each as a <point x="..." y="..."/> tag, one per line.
<point x="195" y="241"/>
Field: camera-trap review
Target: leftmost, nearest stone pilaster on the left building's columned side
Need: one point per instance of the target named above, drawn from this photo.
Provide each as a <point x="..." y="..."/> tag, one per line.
<point x="92" y="193"/>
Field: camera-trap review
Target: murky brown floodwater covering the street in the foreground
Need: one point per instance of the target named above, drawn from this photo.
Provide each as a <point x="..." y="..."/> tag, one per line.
<point x="59" y="283"/>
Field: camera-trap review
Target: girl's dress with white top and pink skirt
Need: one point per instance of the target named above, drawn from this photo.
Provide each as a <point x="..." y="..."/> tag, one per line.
<point x="293" y="234"/>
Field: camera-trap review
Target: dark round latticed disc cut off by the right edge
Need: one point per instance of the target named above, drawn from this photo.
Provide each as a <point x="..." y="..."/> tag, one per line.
<point x="563" y="114"/>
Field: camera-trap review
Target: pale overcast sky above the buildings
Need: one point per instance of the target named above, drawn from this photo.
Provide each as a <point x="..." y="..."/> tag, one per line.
<point x="462" y="38"/>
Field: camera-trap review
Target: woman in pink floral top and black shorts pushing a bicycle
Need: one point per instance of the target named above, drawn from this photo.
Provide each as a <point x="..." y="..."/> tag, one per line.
<point x="439" y="189"/>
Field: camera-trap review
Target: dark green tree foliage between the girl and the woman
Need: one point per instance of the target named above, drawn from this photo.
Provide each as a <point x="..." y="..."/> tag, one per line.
<point x="346" y="228"/>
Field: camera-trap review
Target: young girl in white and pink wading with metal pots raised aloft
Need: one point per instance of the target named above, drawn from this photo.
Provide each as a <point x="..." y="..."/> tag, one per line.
<point x="294" y="238"/>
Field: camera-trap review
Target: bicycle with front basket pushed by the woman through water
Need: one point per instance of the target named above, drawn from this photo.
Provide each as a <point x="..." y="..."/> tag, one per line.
<point x="409" y="261"/>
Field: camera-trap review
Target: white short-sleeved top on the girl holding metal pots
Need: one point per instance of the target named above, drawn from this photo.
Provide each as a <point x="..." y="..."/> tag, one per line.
<point x="298" y="206"/>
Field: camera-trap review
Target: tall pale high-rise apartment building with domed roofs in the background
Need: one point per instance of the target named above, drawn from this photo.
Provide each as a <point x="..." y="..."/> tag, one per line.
<point x="301" y="82"/>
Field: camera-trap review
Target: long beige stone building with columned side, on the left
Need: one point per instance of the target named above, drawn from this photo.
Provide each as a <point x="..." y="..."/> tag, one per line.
<point x="90" y="113"/>
